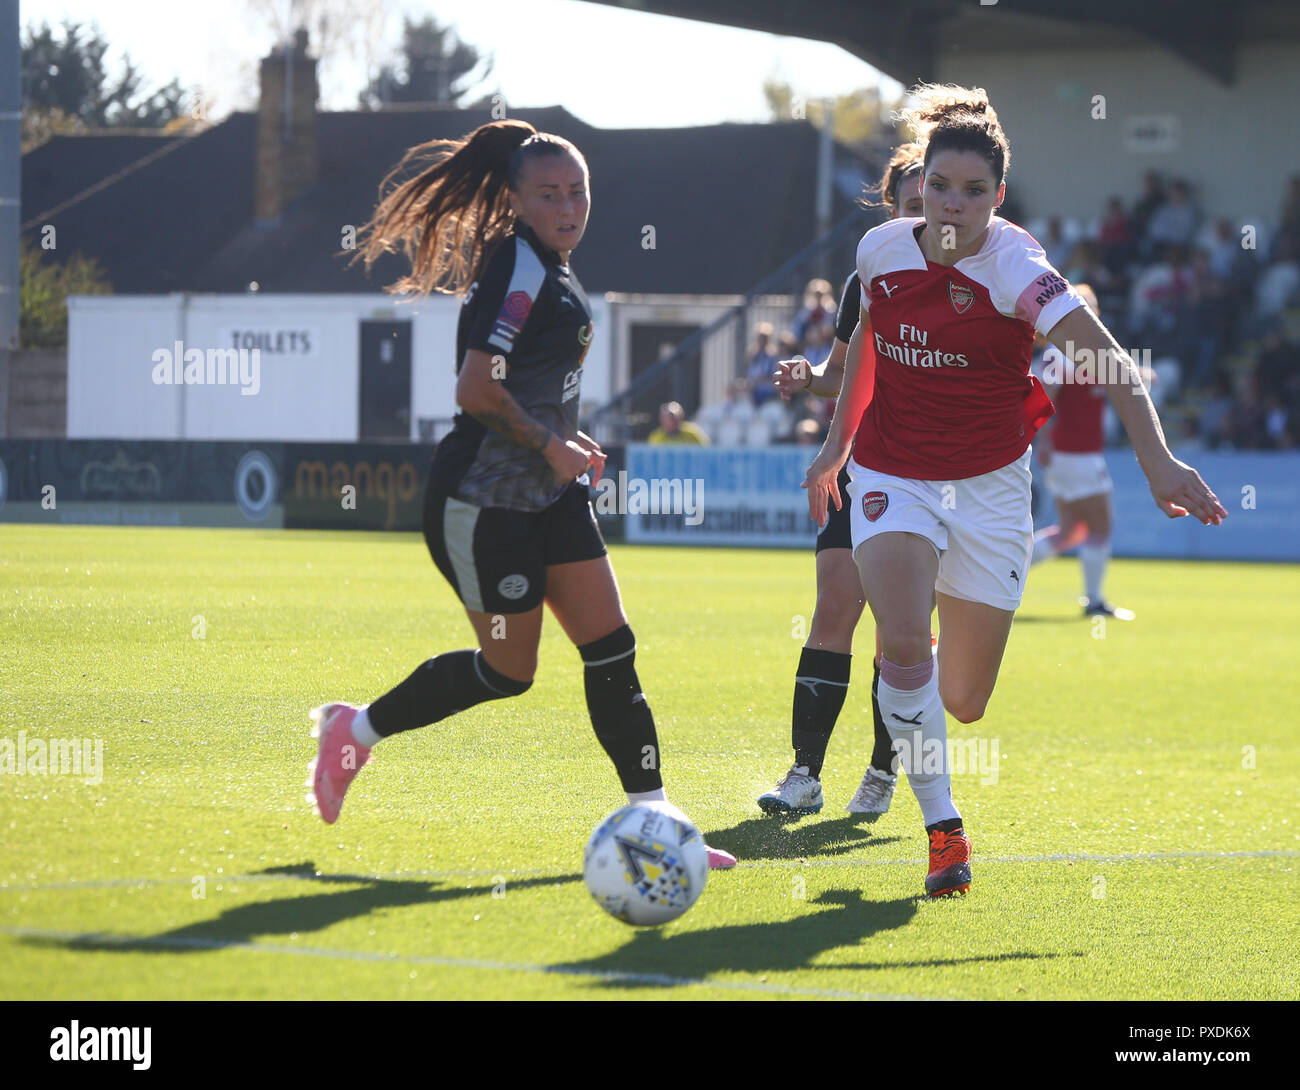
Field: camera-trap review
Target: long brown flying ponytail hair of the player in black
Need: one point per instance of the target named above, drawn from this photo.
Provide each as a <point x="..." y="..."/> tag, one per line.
<point x="450" y="215"/>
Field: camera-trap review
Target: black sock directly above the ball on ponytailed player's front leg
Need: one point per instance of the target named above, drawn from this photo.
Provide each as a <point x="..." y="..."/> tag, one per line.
<point x="619" y="711"/>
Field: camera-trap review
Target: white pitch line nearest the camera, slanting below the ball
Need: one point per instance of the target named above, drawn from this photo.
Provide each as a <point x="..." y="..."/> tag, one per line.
<point x="452" y="963"/>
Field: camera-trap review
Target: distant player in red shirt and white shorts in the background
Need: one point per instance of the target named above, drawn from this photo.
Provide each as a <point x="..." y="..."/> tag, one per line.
<point x="1069" y="449"/>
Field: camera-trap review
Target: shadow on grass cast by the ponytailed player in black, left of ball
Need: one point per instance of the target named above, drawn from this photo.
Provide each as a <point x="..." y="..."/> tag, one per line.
<point x="311" y="912"/>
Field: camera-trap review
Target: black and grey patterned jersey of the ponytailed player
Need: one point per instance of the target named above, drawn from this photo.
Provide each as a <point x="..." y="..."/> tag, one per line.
<point x="530" y="310"/>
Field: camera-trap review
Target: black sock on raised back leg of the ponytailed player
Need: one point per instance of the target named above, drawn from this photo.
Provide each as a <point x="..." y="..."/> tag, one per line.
<point x="441" y="687"/>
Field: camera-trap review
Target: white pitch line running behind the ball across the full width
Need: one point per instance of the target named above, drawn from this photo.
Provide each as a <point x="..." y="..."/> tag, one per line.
<point x="402" y="876"/>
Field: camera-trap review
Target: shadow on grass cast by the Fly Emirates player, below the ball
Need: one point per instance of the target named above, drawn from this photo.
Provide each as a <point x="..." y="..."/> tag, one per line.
<point x="655" y="959"/>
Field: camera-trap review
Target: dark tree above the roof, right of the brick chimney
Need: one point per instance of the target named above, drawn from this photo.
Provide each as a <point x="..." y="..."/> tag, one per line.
<point x="436" y="67"/>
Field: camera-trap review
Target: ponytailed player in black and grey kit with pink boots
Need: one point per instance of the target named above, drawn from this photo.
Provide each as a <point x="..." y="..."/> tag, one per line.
<point x="506" y="516"/>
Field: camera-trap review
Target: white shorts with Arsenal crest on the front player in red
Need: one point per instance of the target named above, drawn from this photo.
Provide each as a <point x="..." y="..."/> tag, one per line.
<point x="981" y="527"/>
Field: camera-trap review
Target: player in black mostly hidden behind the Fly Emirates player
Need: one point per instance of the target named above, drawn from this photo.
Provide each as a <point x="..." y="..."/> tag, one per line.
<point x="822" y="677"/>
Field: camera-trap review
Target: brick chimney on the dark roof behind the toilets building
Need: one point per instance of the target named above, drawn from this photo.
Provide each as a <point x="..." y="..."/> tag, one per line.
<point x="287" y="129"/>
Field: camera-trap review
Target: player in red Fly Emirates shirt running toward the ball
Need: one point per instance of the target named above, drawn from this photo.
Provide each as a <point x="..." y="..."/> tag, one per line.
<point x="941" y="494"/>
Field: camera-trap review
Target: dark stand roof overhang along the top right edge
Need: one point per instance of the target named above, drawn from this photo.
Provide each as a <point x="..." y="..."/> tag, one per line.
<point x="905" y="40"/>
